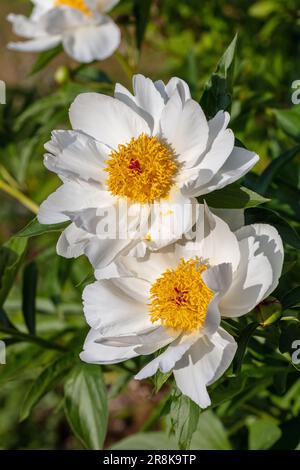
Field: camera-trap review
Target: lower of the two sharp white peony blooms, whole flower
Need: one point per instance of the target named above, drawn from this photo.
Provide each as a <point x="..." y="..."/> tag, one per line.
<point x="174" y="299"/>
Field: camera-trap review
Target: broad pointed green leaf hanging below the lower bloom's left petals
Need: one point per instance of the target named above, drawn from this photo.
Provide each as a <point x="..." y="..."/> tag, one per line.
<point x="86" y="405"/>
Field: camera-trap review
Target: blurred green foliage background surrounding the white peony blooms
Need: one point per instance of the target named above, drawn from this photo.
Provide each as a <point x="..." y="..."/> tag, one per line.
<point x="257" y="404"/>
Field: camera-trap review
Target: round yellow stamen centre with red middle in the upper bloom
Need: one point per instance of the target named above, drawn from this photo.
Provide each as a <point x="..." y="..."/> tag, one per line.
<point x="142" y="170"/>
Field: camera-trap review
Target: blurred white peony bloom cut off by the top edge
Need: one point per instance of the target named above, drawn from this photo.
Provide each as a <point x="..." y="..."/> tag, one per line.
<point x="82" y="27"/>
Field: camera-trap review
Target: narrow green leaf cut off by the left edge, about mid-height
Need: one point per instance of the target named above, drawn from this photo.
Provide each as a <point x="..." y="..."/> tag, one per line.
<point x="11" y="257"/>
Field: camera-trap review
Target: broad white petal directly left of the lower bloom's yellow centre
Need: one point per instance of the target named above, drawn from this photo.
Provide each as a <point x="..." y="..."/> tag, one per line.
<point x="111" y="310"/>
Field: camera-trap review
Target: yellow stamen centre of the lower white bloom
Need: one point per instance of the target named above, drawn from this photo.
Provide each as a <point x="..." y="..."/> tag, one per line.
<point x="180" y="297"/>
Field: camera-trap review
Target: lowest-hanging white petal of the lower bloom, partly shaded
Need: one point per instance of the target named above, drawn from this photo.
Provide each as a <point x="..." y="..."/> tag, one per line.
<point x="203" y="364"/>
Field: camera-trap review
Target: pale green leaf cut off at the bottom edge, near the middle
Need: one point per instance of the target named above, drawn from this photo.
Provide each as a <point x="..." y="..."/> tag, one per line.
<point x="146" y="441"/>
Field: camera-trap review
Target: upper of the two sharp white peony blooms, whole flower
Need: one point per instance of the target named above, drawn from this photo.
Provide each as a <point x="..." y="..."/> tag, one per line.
<point x="146" y="155"/>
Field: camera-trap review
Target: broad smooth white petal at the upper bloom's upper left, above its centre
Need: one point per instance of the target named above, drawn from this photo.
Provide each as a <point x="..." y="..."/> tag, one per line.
<point x="106" y="119"/>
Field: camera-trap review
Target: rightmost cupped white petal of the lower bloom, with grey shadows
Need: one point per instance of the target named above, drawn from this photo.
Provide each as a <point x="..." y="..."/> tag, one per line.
<point x="258" y="272"/>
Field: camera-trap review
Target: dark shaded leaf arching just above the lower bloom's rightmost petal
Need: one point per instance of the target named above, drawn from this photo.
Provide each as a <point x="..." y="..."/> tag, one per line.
<point x="267" y="216"/>
